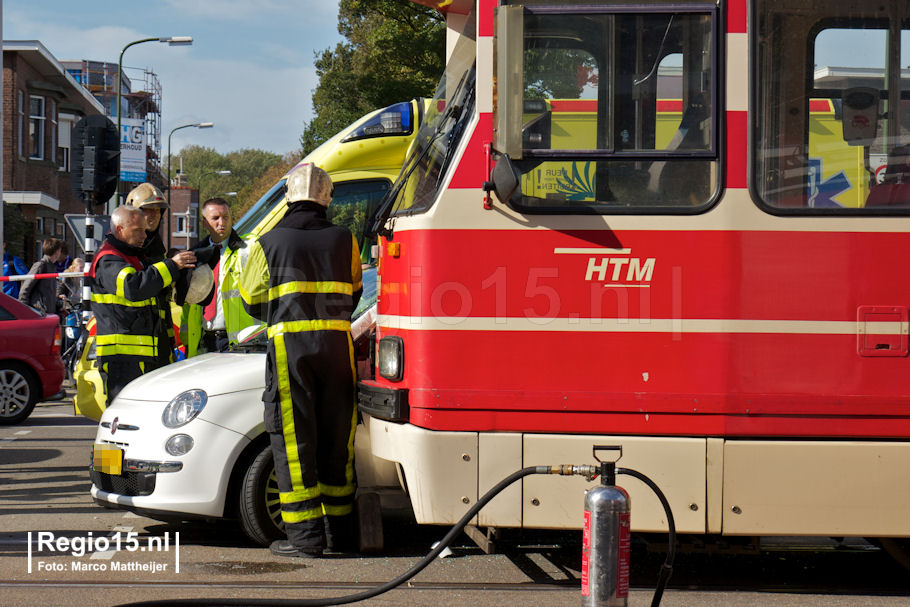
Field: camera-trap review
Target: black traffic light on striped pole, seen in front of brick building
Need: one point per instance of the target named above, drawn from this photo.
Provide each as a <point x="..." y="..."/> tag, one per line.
<point x="95" y="159"/>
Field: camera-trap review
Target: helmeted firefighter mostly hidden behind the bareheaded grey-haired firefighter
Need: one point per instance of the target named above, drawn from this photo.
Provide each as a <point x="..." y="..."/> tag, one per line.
<point x="151" y="202"/>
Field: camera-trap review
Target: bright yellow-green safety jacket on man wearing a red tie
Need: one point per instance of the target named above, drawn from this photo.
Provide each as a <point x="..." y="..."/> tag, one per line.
<point x="232" y="260"/>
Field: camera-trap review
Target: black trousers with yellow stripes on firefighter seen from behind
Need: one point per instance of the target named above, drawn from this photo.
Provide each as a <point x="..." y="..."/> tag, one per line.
<point x="310" y="416"/>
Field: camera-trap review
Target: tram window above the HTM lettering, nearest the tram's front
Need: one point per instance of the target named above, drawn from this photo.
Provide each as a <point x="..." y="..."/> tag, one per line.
<point x="619" y="111"/>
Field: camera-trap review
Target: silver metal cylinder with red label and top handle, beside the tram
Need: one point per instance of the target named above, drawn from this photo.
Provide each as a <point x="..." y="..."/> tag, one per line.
<point x="607" y="539"/>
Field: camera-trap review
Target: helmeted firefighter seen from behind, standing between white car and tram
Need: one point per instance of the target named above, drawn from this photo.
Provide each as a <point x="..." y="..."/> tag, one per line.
<point x="303" y="278"/>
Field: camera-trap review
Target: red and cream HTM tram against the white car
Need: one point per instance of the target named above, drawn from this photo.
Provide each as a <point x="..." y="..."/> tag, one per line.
<point x="692" y="266"/>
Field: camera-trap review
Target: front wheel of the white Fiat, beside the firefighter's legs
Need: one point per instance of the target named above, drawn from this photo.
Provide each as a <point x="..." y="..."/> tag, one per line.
<point x="260" y="507"/>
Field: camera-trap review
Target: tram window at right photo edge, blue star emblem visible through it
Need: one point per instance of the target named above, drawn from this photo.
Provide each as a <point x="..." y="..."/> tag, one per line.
<point x="832" y="117"/>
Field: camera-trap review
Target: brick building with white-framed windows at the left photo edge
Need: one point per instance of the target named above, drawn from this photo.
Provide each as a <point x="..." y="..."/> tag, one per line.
<point x="41" y="103"/>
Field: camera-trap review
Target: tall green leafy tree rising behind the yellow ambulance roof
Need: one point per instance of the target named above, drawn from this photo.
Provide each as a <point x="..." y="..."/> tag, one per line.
<point x="393" y="51"/>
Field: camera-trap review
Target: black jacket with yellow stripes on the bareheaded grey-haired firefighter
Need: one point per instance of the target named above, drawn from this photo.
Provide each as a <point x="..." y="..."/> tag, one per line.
<point x="125" y="302"/>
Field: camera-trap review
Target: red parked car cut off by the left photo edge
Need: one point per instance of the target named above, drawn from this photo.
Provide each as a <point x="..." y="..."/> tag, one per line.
<point x="30" y="365"/>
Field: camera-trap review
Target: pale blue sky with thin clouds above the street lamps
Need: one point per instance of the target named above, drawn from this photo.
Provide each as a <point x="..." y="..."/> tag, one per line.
<point x="249" y="70"/>
